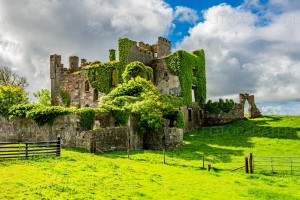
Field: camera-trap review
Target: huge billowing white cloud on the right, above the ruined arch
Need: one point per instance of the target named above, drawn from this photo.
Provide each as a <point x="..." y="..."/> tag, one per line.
<point x="244" y="55"/>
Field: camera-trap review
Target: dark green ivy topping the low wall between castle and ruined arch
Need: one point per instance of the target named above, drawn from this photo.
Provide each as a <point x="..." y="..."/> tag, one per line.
<point x="219" y="106"/>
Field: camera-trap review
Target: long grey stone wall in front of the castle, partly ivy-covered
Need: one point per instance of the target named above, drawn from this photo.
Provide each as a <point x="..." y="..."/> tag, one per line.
<point x="106" y="136"/>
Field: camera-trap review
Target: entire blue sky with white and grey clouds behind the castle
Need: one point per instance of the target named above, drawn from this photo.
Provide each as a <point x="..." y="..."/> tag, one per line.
<point x="251" y="46"/>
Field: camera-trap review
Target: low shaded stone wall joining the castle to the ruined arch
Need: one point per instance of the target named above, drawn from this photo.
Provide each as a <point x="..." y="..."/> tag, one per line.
<point x="223" y="118"/>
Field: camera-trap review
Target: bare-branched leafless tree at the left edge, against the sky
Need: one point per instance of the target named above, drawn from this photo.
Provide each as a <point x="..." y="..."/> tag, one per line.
<point x="8" y="77"/>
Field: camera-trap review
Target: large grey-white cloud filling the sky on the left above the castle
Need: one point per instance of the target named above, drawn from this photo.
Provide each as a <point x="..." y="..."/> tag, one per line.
<point x="31" y="30"/>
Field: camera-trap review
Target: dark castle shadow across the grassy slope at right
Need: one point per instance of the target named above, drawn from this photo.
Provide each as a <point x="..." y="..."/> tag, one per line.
<point x="222" y="142"/>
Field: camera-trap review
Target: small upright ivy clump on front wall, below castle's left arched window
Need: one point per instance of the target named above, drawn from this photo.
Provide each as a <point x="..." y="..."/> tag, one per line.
<point x="87" y="116"/>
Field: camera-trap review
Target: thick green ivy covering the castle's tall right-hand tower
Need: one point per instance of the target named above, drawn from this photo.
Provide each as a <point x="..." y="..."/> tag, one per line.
<point x="190" y="68"/>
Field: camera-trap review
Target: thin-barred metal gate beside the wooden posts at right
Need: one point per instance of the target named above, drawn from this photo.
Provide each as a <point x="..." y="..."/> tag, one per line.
<point x="290" y="164"/>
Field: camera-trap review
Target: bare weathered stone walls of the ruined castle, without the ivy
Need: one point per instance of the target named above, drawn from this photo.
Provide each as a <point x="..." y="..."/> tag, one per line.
<point x="75" y="80"/>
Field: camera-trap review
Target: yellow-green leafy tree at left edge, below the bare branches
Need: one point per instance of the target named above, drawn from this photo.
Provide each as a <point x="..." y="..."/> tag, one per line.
<point x="9" y="96"/>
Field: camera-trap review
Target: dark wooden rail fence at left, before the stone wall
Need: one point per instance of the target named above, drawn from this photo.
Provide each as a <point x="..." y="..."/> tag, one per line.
<point x="25" y="150"/>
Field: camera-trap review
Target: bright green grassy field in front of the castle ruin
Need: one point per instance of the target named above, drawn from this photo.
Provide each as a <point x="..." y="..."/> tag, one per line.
<point x="81" y="175"/>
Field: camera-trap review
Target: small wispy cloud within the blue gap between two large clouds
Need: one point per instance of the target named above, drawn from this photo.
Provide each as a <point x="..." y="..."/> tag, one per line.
<point x="185" y="14"/>
